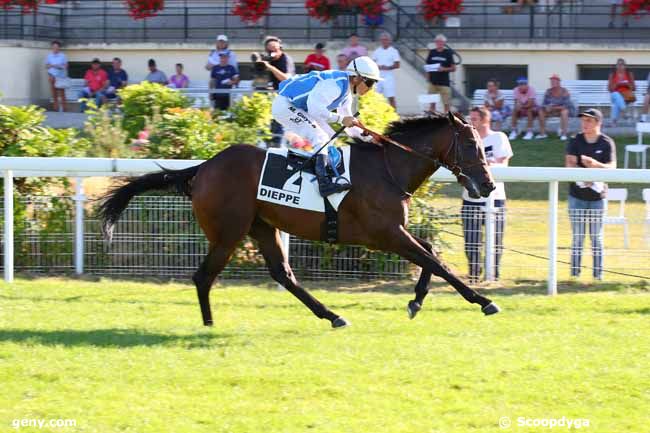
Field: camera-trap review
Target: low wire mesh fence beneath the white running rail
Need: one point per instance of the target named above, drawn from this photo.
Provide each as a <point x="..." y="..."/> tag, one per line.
<point x="158" y="237"/>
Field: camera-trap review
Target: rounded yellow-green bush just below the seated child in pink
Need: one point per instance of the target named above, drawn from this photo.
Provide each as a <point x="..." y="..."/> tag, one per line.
<point x="139" y="100"/>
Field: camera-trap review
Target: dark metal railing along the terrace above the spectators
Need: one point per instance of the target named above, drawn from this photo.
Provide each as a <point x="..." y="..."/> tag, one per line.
<point x="108" y="21"/>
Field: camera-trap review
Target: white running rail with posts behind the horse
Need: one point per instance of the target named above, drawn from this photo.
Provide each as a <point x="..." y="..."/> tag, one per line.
<point x="79" y="168"/>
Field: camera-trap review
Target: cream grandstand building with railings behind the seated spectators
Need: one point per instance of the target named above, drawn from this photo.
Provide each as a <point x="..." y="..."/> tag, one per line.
<point x="571" y="38"/>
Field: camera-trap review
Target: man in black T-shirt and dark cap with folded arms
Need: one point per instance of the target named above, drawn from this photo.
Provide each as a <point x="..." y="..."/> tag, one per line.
<point x="590" y="149"/>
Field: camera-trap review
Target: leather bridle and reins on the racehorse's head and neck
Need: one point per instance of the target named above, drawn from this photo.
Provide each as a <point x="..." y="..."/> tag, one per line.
<point x="454" y="167"/>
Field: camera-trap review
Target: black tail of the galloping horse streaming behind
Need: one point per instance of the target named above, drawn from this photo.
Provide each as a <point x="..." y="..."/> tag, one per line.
<point x="117" y="199"/>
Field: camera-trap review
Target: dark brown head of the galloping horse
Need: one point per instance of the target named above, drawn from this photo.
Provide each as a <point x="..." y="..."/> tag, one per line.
<point x="466" y="158"/>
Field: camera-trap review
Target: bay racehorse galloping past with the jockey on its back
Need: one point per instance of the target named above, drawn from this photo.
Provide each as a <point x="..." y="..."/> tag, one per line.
<point x="223" y="191"/>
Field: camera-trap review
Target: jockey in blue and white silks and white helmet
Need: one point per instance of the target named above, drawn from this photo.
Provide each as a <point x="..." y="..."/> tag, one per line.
<point x="305" y="105"/>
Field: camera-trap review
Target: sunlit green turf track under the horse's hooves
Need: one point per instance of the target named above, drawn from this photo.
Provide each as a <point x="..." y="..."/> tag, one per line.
<point x="132" y="357"/>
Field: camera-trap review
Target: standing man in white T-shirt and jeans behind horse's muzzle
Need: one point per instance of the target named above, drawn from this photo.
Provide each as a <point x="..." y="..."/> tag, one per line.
<point x="497" y="152"/>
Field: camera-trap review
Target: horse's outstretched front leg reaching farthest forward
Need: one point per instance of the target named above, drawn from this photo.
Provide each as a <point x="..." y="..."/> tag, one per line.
<point x="404" y="244"/>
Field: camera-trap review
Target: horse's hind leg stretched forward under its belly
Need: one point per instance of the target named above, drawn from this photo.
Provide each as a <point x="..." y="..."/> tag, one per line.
<point x="270" y="245"/>
